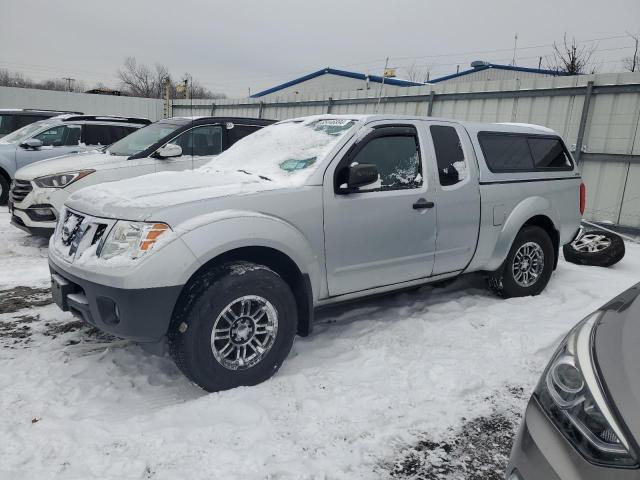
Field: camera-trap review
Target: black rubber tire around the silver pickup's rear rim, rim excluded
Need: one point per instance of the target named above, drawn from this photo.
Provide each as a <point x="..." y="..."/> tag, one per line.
<point x="503" y="281"/>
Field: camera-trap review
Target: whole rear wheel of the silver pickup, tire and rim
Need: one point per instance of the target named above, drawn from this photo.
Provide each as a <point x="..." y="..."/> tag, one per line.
<point x="528" y="266"/>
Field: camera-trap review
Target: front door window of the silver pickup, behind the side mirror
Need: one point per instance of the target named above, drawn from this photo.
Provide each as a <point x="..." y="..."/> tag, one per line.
<point x="397" y="158"/>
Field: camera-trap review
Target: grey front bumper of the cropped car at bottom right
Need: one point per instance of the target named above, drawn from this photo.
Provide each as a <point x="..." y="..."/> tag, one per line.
<point x="541" y="452"/>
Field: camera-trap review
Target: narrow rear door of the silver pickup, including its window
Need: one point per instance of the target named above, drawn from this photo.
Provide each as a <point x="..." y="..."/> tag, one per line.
<point x="458" y="211"/>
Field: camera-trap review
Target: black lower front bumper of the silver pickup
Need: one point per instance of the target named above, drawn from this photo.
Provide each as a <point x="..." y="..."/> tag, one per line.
<point x="141" y="314"/>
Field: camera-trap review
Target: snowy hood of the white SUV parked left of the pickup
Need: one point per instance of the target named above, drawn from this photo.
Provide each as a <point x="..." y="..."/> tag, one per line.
<point x="91" y="160"/>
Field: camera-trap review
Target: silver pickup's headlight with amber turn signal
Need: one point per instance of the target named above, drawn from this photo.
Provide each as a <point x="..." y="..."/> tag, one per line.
<point x="131" y="239"/>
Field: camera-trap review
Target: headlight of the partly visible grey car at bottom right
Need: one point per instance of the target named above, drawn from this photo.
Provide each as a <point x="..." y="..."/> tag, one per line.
<point x="570" y="392"/>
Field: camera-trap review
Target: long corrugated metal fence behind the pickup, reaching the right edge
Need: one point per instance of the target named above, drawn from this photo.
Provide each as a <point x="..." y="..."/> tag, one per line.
<point x="610" y="154"/>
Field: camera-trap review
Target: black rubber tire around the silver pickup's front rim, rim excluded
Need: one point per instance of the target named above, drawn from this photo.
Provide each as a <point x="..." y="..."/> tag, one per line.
<point x="193" y="322"/>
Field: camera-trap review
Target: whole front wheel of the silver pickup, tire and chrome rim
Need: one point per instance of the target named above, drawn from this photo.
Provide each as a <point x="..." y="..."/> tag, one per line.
<point x="235" y="328"/>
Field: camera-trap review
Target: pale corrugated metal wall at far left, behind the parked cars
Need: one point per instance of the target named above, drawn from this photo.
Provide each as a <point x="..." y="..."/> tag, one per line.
<point x="91" y="104"/>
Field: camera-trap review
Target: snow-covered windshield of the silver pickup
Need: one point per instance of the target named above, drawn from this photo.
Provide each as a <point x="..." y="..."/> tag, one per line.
<point x="288" y="151"/>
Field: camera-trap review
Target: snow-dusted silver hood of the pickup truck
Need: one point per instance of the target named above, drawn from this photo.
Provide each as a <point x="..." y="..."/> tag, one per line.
<point x="144" y="197"/>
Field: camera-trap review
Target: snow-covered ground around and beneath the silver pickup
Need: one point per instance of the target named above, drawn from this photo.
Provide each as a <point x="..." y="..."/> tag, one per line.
<point x="375" y="378"/>
